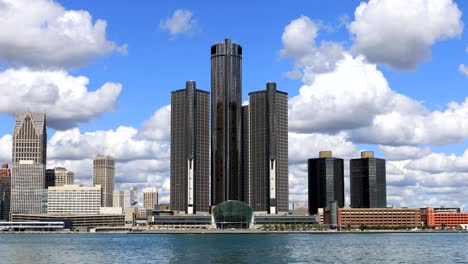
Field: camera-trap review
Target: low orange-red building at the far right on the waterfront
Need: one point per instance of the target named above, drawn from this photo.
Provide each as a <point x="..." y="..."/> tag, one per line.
<point x="443" y="217"/>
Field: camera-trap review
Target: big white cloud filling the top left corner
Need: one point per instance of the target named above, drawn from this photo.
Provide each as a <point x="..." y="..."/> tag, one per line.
<point x="42" y="33"/>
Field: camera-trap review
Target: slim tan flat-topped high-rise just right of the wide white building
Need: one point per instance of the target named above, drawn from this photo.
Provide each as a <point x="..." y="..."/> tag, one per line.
<point x="104" y="174"/>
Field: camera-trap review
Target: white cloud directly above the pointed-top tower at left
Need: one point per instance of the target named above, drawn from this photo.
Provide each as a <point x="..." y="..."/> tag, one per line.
<point x="66" y="99"/>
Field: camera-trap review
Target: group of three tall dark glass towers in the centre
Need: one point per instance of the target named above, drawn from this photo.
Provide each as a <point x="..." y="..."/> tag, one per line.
<point x="249" y="144"/>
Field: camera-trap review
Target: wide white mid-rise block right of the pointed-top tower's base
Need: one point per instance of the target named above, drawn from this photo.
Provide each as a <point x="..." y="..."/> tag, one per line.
<point x="74" y="199"/>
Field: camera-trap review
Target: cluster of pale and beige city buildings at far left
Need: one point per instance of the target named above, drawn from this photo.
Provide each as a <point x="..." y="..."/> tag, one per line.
<point x="32" y="189"/>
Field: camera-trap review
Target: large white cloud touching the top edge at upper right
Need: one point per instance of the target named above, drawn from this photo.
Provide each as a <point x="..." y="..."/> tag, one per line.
<point x="400" y="33"/>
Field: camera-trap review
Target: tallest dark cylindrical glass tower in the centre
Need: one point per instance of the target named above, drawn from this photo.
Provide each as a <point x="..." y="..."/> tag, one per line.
<point x="226" y="108"/>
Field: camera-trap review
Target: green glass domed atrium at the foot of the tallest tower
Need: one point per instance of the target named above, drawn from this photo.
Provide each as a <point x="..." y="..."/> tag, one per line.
<point x="233" y="214"/>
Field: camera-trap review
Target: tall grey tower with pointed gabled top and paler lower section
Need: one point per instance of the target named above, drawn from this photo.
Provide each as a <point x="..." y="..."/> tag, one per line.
<point x="29" y="158"/>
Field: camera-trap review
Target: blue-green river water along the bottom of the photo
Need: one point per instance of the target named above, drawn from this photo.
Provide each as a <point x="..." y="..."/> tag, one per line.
<point x="234" y="248"/>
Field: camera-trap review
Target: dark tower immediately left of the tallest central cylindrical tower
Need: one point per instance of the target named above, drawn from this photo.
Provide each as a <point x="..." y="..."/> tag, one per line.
<point x="190" y="150"/>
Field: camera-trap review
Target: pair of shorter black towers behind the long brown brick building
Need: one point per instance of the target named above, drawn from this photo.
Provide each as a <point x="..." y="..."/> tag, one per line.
<point x="326" y="182"/>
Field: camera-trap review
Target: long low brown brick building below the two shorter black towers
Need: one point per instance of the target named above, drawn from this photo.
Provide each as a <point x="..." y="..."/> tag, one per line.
<point x="356" y="217"/>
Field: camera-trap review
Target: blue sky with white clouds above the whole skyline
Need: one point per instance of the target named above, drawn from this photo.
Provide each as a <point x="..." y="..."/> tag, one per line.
<point x="384" y="75"/>
